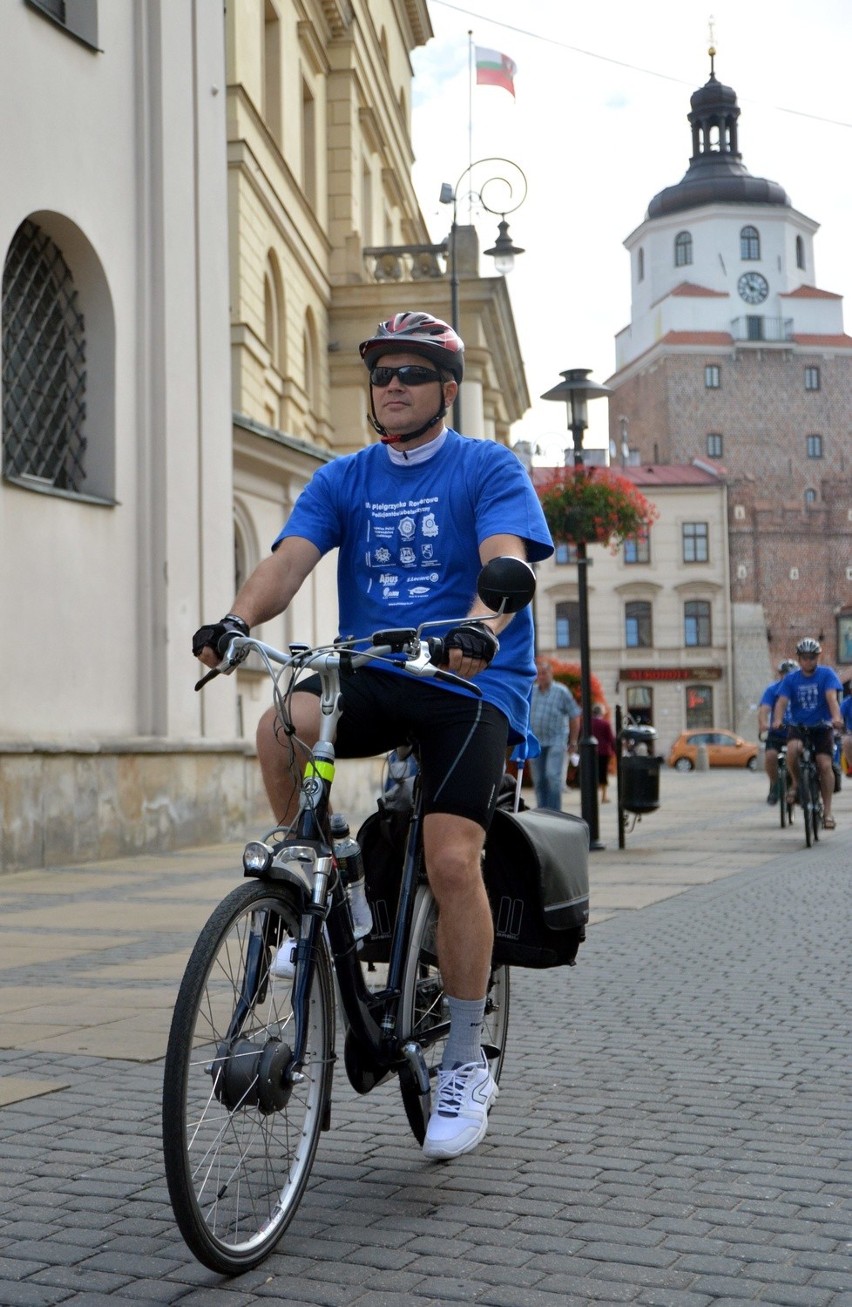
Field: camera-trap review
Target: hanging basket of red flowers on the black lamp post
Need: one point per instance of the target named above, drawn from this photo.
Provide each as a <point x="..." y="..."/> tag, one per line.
<point x="594" y="506"/>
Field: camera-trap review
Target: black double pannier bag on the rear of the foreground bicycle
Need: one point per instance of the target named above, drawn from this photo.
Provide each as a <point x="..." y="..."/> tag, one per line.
<point x="536" y="876"/>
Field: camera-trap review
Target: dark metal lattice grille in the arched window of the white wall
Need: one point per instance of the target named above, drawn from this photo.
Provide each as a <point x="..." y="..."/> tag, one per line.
<point x="44" y="365"/>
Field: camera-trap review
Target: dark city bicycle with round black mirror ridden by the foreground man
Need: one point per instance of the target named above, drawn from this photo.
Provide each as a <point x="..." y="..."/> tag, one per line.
<point x="248" y="1082"/>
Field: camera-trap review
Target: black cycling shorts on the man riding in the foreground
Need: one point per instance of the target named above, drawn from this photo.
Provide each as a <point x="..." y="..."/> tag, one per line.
<point x="462" y="740"/>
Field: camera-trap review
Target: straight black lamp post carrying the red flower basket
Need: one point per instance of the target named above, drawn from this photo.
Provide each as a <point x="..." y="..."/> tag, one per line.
<point x="576" y="390"/>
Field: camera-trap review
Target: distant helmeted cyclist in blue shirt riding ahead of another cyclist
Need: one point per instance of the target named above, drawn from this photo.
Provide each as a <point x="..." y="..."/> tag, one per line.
<point x="812" y="695"/>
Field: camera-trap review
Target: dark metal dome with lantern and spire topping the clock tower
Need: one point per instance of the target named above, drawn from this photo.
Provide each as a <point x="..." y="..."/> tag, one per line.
<point x="717" y="173"/>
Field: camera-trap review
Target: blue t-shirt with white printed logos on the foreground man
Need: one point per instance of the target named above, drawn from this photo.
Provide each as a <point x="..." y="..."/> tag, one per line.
<point x="410" y="540"/>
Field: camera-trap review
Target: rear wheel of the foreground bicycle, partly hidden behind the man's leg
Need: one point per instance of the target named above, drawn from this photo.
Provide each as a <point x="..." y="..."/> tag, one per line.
<point x="424" y="1016"/>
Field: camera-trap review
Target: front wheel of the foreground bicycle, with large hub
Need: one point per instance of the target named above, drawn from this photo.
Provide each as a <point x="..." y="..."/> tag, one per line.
<point x="237" y="1173"/>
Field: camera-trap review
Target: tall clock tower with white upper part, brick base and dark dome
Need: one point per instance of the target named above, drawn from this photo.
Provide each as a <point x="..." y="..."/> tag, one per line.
<point x="736" y="357"/>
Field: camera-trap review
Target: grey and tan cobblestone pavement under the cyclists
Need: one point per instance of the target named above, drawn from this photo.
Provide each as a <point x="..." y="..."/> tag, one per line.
<point x="674" y="1126"/>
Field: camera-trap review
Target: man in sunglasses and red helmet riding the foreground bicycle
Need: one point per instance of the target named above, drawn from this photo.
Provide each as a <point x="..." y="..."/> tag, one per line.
<point x="415" y="518"/>
